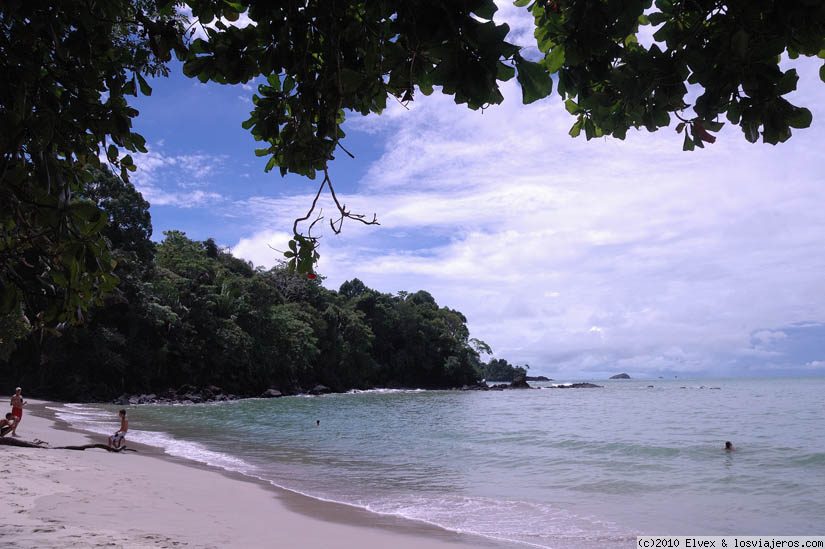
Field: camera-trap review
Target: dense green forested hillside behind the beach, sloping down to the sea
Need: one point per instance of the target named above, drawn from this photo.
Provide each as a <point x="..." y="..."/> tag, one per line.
<point x="188" y="312"/>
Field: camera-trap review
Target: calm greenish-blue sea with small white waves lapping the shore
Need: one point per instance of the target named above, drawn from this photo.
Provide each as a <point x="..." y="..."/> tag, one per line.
<point x="555" y="468"/>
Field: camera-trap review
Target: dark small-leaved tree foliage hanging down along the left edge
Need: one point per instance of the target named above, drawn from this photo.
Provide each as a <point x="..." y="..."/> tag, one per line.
<point x="68" y="71"/>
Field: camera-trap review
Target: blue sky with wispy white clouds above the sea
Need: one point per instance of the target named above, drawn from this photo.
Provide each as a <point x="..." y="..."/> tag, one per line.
<point x="581" y="259"/>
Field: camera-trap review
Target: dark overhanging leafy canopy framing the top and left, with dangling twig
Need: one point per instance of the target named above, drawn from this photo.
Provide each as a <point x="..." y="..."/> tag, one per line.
<point x="71" y="68"/>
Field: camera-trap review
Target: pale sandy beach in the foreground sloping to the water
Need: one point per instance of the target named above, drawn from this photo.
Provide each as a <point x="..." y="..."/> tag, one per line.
<point x="94" y="498"/>
